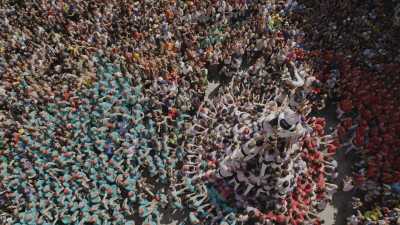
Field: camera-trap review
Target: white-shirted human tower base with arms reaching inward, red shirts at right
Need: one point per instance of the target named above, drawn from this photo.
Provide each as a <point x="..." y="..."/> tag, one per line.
<point x="256" y="156"/>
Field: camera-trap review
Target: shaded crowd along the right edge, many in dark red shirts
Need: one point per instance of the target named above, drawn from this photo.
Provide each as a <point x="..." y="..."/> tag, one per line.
<point x="357" y="57"/>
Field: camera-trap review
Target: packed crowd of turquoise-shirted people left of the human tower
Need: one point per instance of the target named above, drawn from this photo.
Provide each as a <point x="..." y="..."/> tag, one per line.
<point x="94" y="174"/>
